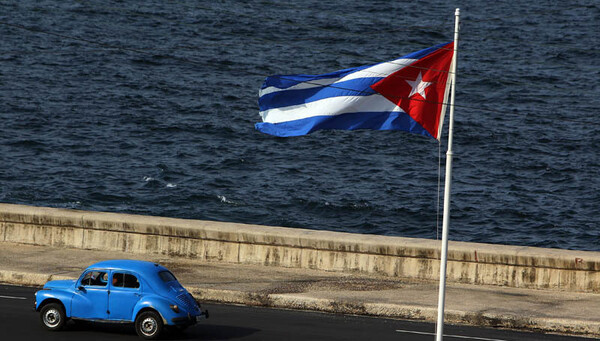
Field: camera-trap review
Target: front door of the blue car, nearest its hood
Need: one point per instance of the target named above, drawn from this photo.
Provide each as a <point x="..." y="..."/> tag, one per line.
<point x="90" y="300"/>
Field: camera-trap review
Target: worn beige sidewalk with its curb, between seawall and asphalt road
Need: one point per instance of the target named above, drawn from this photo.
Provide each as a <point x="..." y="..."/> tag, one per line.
<point x="550" y="311"/>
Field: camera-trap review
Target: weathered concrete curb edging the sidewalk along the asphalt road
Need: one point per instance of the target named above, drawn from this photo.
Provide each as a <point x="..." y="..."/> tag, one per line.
<point x="301" y="302"/>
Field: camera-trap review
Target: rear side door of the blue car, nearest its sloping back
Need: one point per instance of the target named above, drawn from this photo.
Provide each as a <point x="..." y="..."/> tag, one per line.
<point x="125" y="292"/>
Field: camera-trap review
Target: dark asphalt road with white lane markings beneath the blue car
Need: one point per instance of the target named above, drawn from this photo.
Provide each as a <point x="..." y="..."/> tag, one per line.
<point x="18" y="321"/>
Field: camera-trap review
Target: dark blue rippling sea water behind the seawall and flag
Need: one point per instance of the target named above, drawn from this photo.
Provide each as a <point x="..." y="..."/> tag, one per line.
<point x="158" y="117"/>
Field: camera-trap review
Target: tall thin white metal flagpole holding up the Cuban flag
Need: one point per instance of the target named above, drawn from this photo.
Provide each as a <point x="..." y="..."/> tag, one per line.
<point x="444" y="257"/>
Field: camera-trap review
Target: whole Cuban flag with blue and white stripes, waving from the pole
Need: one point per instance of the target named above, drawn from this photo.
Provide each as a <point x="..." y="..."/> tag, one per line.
<point x="407" y="94"/>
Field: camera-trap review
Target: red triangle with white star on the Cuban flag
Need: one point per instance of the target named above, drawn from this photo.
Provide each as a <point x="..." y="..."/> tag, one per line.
<point x="420" y="88"/>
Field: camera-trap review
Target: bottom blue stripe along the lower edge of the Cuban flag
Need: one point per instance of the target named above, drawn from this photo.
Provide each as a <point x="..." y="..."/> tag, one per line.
<point x="351" y="121"/>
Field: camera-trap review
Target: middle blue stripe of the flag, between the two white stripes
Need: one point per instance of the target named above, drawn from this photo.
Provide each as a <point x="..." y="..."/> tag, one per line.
<point x="354" y="87"/>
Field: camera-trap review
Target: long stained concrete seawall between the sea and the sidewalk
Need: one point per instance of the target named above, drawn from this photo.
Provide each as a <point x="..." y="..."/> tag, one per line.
<point x="471" y="263"/>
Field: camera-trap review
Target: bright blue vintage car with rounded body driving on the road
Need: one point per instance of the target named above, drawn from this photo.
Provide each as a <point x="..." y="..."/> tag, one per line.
<point x="121" y="291"/>
